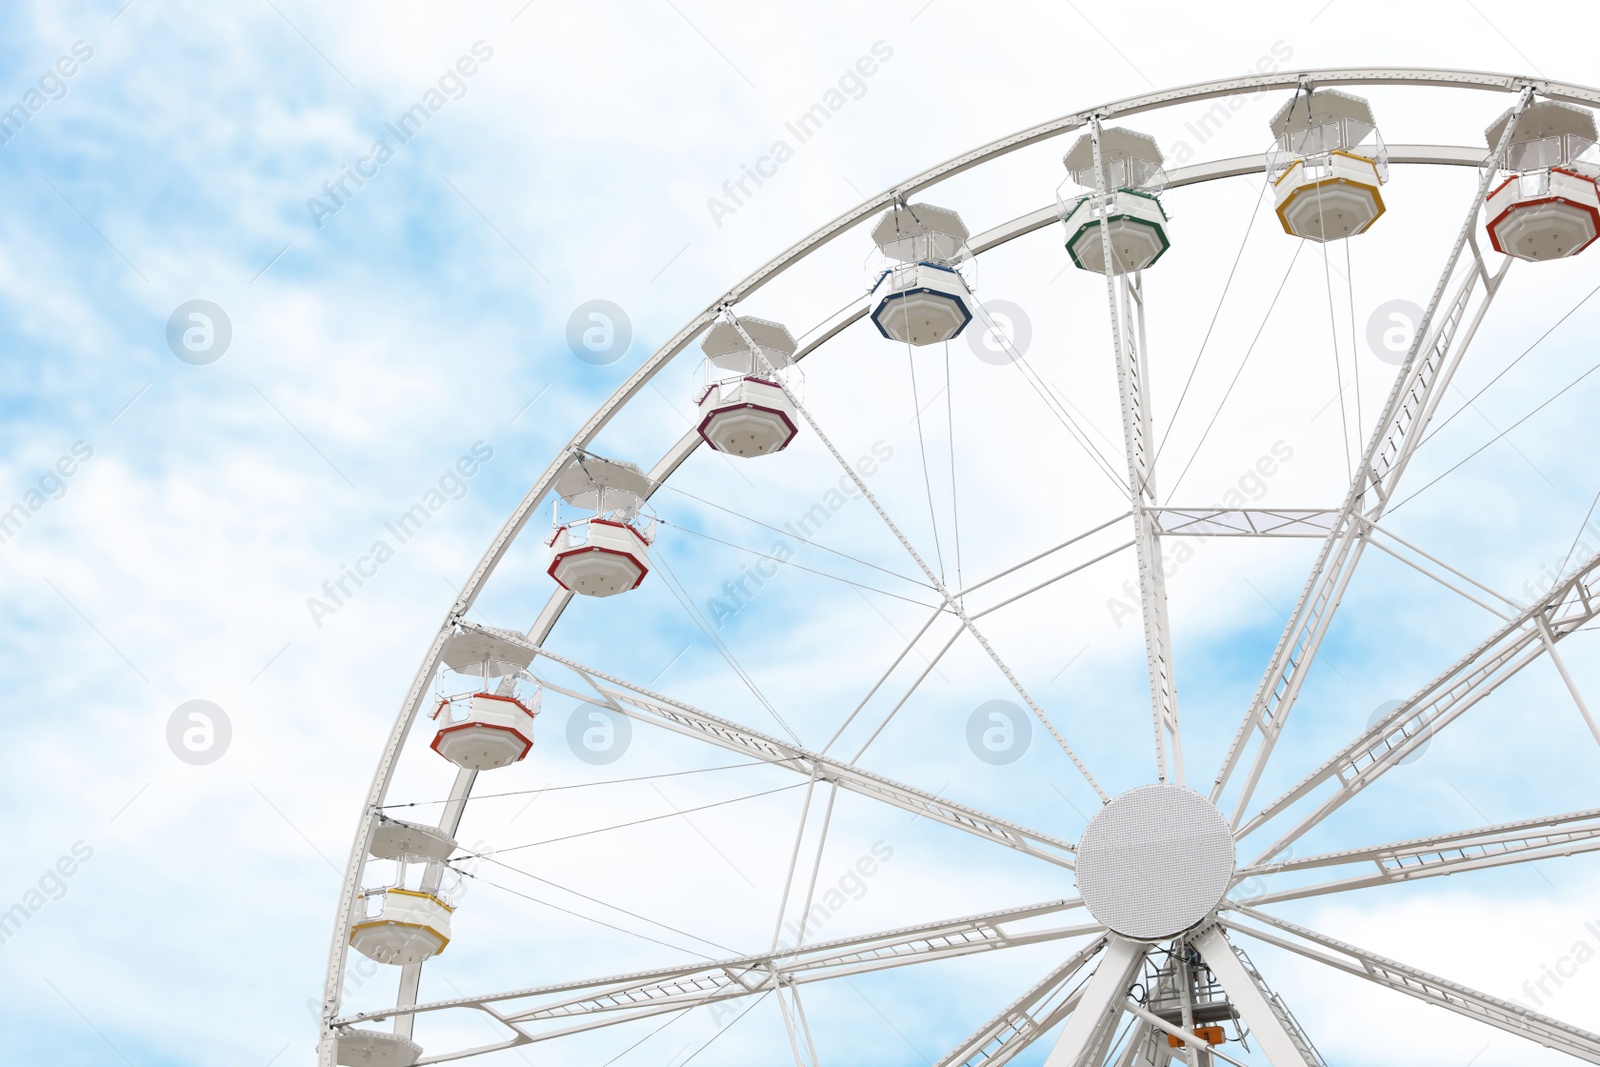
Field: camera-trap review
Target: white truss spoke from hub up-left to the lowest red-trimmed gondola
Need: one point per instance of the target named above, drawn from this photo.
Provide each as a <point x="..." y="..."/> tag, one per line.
<point x="692" y="722"/>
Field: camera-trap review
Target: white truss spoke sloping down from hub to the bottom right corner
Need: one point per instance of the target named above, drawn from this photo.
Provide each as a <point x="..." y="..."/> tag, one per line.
<point x="1426" y="988"/>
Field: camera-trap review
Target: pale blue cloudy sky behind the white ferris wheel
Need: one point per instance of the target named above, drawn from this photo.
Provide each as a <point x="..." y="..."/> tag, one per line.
<point x="194" y="490"/>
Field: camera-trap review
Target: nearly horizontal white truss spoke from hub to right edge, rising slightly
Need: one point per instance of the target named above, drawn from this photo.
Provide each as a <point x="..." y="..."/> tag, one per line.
<point x="1442" y="855"/>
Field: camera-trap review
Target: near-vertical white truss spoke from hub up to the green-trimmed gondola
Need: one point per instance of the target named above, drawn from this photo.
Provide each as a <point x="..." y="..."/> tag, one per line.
<point x="1126" y="302"/>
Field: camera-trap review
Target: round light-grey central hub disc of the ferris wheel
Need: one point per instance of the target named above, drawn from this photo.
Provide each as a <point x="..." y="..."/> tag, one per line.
<point x="1156" y="861"/>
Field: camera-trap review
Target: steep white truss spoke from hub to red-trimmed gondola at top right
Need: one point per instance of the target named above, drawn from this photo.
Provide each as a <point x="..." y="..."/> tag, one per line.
<point x="1412" y="404"/>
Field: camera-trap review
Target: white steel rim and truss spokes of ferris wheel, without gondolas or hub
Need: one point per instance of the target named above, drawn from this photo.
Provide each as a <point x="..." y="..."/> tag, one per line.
<point x="1094" y="1007"/>
